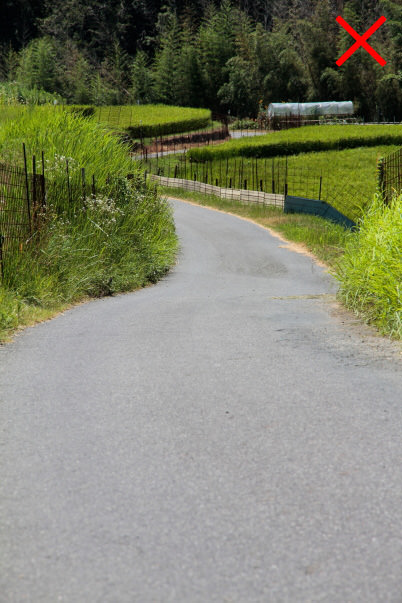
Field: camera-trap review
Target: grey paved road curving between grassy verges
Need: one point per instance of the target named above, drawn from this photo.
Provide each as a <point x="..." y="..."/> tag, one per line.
<point x="218" y="437"/>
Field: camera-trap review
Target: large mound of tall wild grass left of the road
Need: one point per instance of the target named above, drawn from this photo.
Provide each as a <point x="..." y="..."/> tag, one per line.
<point x="121" y="238"/>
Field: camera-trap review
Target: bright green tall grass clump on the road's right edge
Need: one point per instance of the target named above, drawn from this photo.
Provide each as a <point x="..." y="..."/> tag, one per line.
<point x="370" y="271"/>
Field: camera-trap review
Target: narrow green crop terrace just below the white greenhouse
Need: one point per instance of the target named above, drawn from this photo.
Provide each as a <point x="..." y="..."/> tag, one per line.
<point x="303" y="140"/>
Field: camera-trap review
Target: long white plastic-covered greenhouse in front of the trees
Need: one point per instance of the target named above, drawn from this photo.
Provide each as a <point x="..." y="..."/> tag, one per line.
<point x="282" y="115"/>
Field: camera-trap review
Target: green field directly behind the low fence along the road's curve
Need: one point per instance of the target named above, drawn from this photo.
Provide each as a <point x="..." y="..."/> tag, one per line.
<point x="345" y="179"/>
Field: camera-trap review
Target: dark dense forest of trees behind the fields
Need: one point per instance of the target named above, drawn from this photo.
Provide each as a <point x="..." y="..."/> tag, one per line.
<point x="229" y="56"/>
